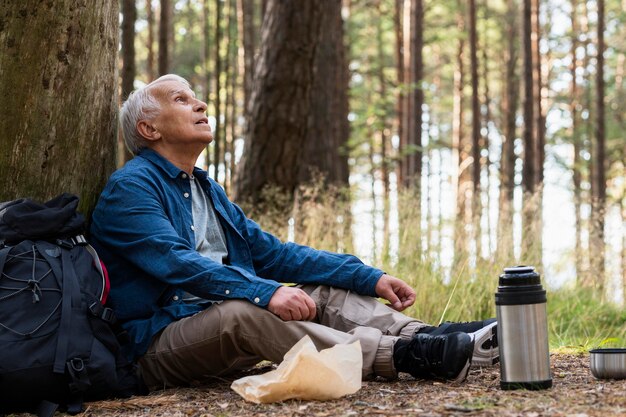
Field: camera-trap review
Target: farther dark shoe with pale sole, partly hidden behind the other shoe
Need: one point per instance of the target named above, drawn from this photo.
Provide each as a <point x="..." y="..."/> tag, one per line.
<point x="486" y="351"/>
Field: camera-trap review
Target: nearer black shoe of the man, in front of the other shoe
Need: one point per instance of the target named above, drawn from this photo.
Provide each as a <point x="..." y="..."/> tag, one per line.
<point x="446" y="357"/>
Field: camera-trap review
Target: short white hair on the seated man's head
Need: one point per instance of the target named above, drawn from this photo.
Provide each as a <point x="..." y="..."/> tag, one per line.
<point x="142" y="105"/>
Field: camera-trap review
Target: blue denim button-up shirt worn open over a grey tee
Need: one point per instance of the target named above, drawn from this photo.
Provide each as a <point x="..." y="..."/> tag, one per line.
<point x="142" y="228"/>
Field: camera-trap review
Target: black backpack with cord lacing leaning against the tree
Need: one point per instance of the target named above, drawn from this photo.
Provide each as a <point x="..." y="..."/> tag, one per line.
<point x="59" y="344"/>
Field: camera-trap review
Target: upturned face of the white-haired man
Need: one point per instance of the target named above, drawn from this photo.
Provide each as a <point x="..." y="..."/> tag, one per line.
<point x="182" y="118"/>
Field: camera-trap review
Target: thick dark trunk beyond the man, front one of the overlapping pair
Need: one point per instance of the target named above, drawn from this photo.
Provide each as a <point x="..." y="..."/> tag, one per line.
<point x="278" y="128"/>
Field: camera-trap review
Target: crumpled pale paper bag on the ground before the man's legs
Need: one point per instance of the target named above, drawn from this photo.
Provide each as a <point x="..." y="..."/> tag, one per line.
<point x="307" y="374"/>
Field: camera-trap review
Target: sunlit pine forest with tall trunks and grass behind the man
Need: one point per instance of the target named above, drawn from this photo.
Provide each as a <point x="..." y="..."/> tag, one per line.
<point x="440" y="140"/>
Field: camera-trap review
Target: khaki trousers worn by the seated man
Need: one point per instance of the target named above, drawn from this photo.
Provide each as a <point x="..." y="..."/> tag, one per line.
<point x="236" y="334"/>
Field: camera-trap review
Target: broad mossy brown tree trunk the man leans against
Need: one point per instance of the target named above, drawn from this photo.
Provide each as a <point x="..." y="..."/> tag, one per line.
<point x="58" y="130"/>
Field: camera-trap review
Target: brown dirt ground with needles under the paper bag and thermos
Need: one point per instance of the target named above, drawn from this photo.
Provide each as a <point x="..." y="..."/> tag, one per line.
<point x="575" y="392"/>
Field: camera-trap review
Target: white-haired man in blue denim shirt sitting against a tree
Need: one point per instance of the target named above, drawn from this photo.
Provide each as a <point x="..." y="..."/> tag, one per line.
<point x="198" y="285"/>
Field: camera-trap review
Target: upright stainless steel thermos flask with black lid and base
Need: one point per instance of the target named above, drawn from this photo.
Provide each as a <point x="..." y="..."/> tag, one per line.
<point x="522" y="330"/>
